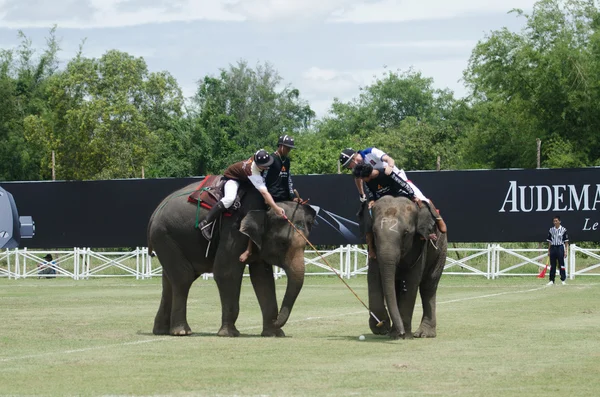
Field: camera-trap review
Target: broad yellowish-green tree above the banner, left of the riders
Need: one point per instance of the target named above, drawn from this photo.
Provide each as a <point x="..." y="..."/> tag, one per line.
<point x="106" y="116"/>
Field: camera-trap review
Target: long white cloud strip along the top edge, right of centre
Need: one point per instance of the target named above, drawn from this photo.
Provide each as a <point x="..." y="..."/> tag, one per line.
<point x="410" y="10"/>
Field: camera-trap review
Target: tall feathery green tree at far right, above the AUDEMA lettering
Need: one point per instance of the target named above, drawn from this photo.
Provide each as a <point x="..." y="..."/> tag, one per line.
<point x="545" y="78"/>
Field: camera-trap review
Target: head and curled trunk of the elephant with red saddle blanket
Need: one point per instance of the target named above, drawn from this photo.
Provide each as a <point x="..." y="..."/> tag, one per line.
<point x="281" y="245"/>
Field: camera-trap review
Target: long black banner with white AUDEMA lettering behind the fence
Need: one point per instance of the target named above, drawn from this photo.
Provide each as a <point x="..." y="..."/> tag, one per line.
<point x="478" y="206"/>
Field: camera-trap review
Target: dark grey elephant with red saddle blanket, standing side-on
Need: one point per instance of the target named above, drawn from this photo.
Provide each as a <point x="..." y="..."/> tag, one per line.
<point x="185" y="255"/>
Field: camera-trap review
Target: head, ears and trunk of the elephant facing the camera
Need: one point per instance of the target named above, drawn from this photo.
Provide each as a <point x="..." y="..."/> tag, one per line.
<point x="400" y="229"/>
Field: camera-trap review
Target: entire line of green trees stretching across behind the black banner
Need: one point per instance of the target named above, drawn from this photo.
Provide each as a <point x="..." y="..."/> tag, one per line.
<point x="110" y="117"/>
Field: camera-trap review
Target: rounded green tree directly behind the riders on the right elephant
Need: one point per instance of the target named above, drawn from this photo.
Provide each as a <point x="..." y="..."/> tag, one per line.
<point x="400" y="113"/>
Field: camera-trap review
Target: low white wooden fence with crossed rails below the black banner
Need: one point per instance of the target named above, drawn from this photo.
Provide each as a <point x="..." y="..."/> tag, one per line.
<point x="492" y="261"/>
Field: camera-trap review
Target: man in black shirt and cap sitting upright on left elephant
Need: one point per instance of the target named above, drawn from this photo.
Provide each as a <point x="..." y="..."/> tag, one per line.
<point x="278" y="178"/>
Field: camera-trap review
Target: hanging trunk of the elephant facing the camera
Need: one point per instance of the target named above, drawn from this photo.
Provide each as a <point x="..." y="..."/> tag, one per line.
<point x="388" y="259"/>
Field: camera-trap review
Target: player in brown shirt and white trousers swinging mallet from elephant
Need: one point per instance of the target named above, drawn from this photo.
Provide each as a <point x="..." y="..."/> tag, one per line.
<point x="247" y="174"/>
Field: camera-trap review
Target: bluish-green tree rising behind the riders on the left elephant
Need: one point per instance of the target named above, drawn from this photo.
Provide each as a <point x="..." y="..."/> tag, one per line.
<point x="243" y="110"/>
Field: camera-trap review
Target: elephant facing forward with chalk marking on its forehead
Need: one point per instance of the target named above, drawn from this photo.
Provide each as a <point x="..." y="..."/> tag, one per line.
<point x="406" y="260"/>
